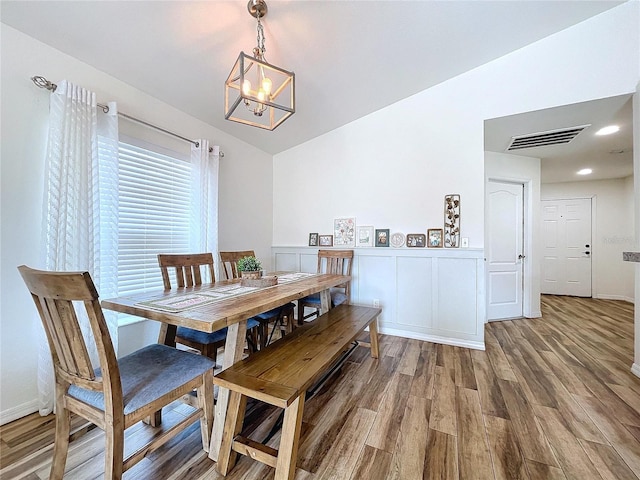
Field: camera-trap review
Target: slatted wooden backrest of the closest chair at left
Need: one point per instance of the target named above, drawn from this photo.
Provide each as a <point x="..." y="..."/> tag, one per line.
<point x="54" y="294"/>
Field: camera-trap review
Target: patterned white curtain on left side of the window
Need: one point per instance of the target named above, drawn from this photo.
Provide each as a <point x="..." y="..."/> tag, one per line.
<point x="75" y="234"/>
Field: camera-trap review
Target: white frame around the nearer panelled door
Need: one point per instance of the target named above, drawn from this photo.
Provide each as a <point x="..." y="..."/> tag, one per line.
<point x="530" y="281"/>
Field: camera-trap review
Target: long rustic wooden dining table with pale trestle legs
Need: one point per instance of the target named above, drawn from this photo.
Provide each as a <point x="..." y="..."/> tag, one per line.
<point x="231" y="312"/>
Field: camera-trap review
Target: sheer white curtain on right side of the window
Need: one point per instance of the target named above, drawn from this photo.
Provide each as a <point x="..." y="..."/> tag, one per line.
<point x="204" y="203"/>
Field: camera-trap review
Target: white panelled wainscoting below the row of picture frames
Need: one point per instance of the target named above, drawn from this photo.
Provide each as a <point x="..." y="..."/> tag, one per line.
<point x="435" y="295"/>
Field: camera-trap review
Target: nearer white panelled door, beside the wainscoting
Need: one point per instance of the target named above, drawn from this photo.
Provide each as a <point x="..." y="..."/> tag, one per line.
<point x="504" y="250"/>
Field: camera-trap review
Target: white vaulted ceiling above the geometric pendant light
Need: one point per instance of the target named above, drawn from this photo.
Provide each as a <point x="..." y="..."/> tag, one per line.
<point x="351" y="58"/>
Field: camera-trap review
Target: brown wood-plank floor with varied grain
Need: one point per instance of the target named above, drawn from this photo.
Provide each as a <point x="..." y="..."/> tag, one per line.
<point x="550" y="398"/>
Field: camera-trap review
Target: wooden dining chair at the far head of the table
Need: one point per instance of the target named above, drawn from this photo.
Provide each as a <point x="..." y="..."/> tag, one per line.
<point x="337" y="262"/>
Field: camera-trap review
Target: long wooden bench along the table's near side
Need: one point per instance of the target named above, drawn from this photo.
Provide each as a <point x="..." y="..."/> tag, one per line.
<point x="280" y="375"/>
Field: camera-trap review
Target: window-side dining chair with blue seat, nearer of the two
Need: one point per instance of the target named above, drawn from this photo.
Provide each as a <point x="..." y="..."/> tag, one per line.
<point x="188" y="273"/>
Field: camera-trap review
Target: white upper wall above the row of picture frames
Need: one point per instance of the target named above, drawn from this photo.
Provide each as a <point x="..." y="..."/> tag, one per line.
<point x="393" y="167"/>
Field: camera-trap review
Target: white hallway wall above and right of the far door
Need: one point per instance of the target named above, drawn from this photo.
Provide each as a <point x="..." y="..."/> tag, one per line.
<point x="613" y="232"/>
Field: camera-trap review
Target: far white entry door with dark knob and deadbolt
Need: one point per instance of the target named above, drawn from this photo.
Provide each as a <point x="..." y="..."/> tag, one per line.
<point x="566" y="255"/>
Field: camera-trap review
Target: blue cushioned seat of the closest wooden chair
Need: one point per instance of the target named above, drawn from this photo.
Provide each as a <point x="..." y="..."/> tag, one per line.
<point x="147" y="375"/>
